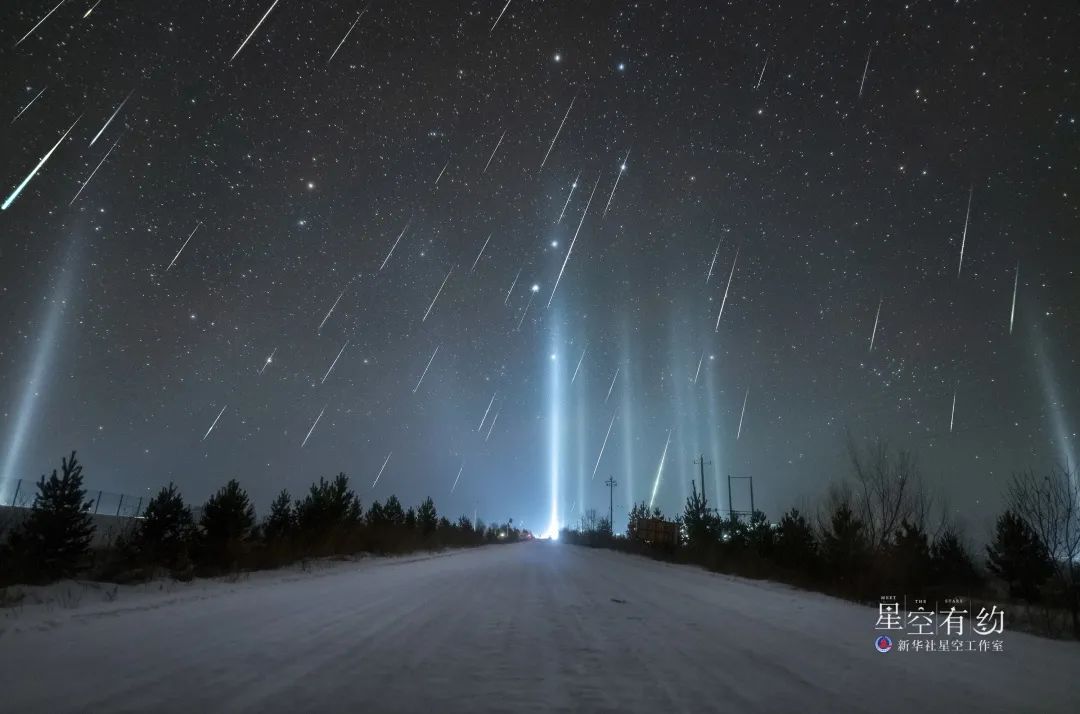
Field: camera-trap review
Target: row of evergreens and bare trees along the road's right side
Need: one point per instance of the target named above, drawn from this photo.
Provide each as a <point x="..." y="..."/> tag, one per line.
<point x="881" y="533"/>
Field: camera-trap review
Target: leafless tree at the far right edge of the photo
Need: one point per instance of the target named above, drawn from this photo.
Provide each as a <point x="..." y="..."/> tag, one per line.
<point x="1051" y="508"/>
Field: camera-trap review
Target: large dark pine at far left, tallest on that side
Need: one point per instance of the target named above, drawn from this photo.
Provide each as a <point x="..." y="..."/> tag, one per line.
<point x="55" y="540"/>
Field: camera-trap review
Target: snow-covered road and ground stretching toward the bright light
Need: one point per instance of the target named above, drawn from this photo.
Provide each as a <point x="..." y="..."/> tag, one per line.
<point x="532" y="628"/>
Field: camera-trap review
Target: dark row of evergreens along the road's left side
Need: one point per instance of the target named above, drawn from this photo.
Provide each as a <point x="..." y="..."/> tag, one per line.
<point x="55" y="541"/>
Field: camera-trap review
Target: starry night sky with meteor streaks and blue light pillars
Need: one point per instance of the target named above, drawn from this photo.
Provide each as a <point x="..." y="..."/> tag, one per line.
<point x="834" y="179"/>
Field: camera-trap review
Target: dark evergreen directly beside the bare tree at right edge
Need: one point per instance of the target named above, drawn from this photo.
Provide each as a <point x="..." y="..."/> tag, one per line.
<point x="1018" y="557"/>
